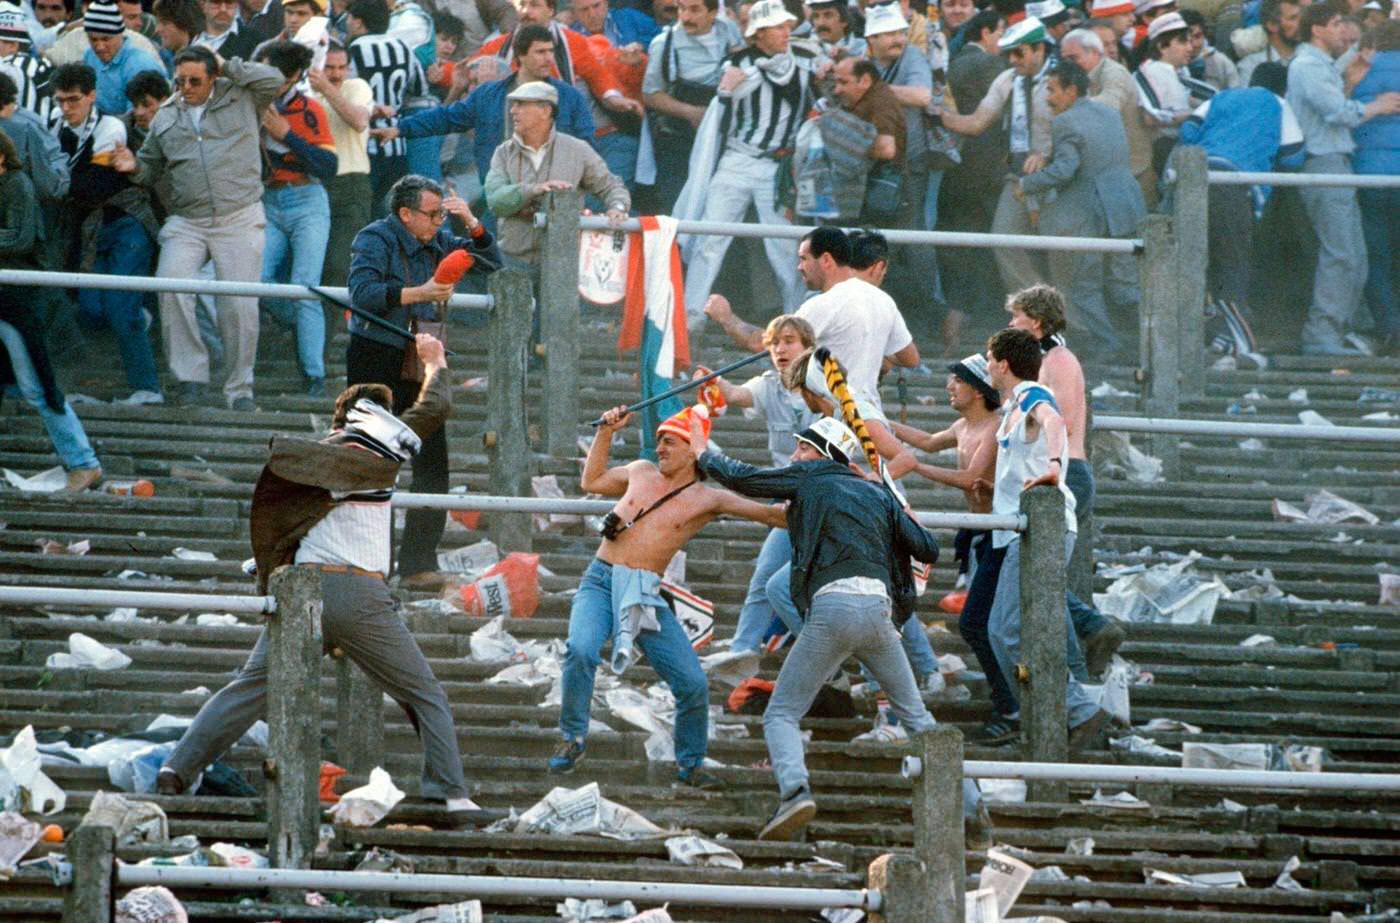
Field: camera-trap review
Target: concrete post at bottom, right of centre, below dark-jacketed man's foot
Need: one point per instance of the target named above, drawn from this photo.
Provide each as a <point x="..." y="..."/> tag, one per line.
<point x="939" y="831"/>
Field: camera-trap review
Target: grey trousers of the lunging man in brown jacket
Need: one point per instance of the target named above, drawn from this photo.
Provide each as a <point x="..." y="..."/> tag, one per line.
<point x="359" y="618"/>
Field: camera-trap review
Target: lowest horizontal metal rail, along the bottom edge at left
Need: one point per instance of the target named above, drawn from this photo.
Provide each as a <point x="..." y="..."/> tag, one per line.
<point x="499" y="887"/>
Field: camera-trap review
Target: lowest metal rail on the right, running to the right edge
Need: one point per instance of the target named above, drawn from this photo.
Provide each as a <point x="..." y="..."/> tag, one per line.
<point x="1214" y="778"/>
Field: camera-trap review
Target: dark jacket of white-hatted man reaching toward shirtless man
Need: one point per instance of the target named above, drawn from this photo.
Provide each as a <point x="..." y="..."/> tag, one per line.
<point x="841" y="525"/>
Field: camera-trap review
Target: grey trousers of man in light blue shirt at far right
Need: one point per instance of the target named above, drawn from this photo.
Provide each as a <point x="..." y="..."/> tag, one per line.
<point x="1342" y="254"/>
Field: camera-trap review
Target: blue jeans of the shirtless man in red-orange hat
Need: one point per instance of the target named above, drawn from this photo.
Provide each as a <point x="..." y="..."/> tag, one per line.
<point x="668" y="651"/>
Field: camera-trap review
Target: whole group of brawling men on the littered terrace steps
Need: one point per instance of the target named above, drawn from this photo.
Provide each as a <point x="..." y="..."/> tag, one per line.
<point x="836" y="571"/>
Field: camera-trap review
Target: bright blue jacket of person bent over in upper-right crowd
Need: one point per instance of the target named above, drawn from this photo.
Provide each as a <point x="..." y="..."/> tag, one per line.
<point x="1244" y="127"/>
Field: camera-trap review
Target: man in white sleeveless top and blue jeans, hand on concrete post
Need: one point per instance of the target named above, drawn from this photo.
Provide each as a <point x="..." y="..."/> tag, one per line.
<point x="1032" y="450"/>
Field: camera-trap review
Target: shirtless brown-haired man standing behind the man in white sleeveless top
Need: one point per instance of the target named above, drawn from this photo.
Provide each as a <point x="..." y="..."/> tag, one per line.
<point x="1039" y="310"/>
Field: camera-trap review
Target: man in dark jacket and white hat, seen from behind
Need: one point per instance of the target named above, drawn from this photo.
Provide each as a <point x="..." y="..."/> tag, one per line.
<point x="852" y="548"/>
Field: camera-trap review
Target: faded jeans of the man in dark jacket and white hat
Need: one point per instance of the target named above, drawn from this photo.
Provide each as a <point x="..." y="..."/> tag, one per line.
<point x="841" y="625"/>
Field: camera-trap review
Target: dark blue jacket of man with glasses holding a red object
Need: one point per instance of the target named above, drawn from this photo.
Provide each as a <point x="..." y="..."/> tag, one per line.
<point x="386" y="260"/>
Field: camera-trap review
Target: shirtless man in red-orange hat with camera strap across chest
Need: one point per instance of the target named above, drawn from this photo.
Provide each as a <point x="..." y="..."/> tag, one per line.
<point x="619" y="599"/>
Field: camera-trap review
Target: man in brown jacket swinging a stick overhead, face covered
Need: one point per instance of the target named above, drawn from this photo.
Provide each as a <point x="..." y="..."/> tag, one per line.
<point x="327" y="506"/>
